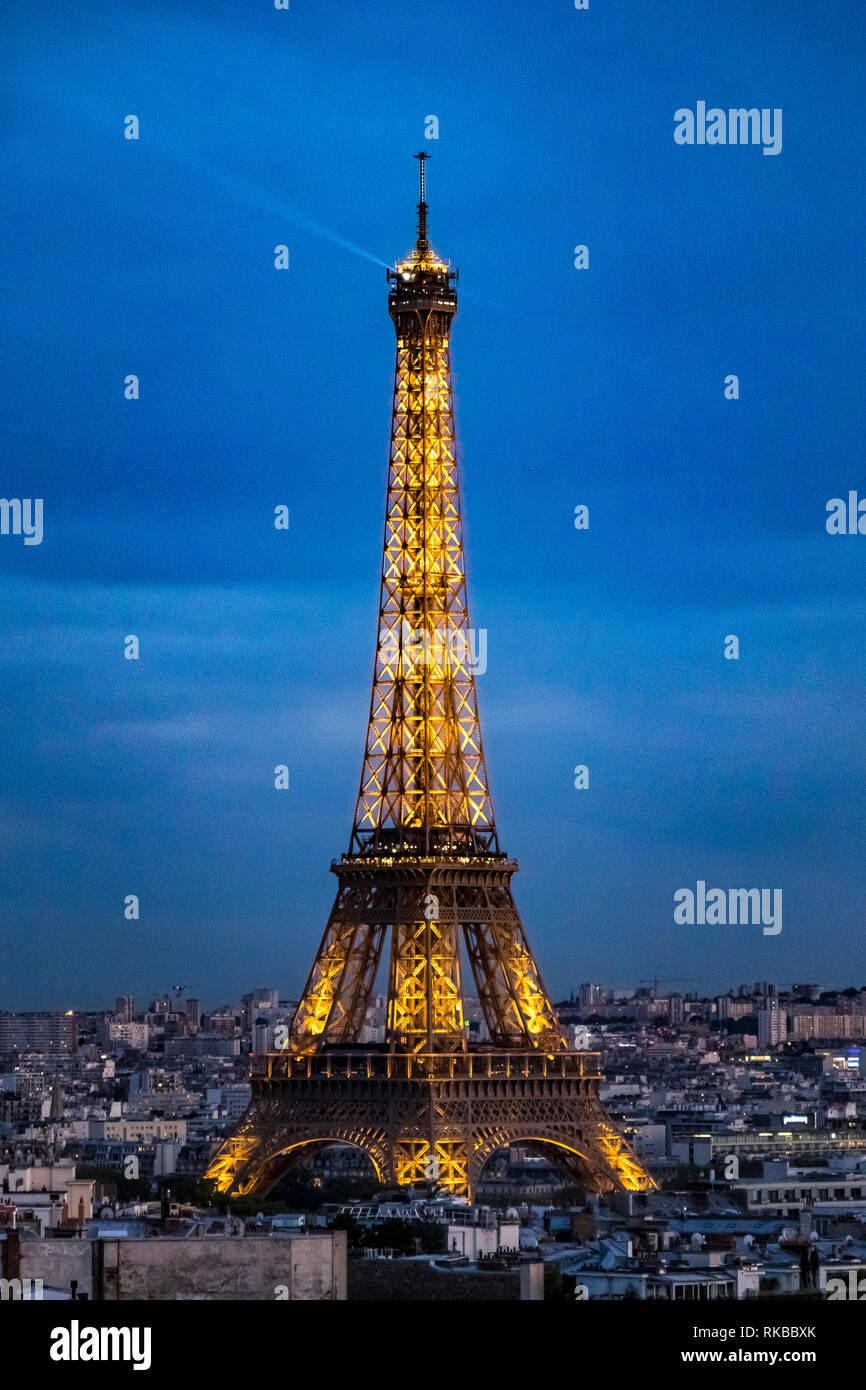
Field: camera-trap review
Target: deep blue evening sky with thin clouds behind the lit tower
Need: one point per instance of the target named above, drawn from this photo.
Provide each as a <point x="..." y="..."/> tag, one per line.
<point x="262" y="387"/>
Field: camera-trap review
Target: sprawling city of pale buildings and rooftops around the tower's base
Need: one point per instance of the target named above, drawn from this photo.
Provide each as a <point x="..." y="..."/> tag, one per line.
<point x="749" y="1109"/>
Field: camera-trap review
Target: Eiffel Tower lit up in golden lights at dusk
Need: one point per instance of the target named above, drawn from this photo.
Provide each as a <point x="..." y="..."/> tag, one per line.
<point x="425" y="874"/>
